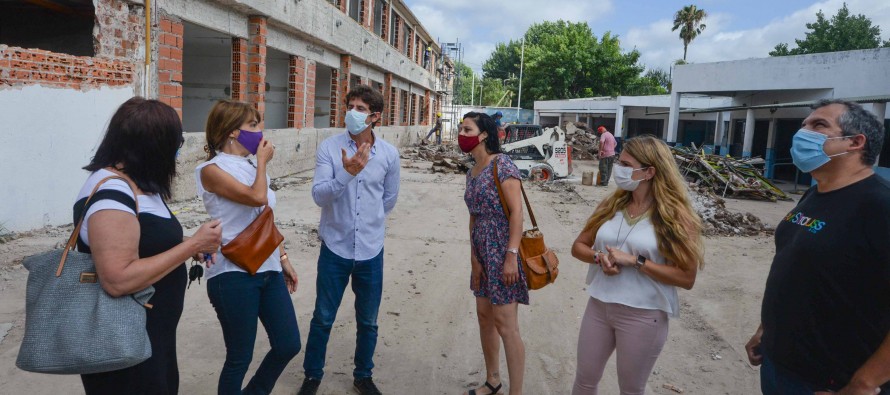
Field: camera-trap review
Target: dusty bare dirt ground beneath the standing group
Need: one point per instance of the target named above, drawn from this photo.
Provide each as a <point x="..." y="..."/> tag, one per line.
<point x="428" y="339"/>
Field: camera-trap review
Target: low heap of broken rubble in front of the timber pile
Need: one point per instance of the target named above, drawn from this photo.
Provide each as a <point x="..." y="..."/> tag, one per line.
<point x="717" y="220"/>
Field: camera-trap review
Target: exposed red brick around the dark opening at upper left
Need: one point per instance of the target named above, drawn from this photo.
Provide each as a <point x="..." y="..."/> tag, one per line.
<point x="120" y="33"/>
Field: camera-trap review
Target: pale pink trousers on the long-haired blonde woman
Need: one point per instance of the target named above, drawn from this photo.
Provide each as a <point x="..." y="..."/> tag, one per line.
<point x="638" y="335"/>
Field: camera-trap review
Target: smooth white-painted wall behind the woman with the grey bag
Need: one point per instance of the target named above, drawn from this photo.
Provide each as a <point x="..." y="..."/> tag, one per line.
<point x="49" y="135"/>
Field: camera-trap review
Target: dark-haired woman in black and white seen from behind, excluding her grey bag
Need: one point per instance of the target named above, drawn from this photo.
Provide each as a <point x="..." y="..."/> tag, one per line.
<point x="135" y="248"/>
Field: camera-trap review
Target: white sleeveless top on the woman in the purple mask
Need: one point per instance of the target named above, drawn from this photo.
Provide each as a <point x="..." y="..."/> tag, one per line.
<point x="235" y="217"/>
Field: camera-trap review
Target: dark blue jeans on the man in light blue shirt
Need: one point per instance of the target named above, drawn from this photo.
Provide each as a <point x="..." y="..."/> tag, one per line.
<point x="367" y="285"/>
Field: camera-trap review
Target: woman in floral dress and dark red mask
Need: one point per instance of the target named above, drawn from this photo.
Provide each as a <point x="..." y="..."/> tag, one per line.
<point x="496" y="279"/>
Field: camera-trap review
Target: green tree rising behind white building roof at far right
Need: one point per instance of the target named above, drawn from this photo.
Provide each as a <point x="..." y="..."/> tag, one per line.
<point x="842" y="33"/>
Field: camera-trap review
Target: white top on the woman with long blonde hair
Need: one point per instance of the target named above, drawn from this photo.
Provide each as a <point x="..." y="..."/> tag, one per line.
<point x="630" y="287"/>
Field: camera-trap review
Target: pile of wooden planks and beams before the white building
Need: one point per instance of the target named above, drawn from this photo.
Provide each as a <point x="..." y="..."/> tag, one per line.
<point x="726" y="176"/>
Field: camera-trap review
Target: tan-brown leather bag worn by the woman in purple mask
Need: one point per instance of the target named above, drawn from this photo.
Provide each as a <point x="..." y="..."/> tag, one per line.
<point x="255" y="243"/>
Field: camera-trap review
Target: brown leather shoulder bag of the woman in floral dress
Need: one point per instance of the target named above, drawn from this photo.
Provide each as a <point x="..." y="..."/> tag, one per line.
<point x="540" y="264"/>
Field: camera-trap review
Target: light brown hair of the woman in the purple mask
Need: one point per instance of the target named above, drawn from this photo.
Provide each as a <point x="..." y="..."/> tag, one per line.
<point x="224" y="117"/>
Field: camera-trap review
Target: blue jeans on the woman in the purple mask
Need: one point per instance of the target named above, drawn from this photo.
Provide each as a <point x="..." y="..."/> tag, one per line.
<point x="239" y="299"/>
